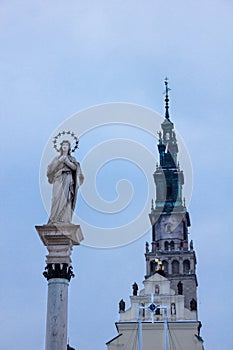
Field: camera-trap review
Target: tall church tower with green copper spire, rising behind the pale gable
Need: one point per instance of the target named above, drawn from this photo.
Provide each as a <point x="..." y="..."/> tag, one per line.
<point x="170" y="220"/>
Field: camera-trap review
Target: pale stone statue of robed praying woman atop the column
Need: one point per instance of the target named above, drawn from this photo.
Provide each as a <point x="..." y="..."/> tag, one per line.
<point x="65" y="174"/>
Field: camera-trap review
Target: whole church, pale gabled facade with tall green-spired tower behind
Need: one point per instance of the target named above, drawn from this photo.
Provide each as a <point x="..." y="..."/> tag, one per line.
<point x="164" y="312"/>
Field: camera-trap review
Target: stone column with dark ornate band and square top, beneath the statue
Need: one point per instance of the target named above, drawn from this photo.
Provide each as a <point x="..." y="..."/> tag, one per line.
<point x="59" y="241"/>
